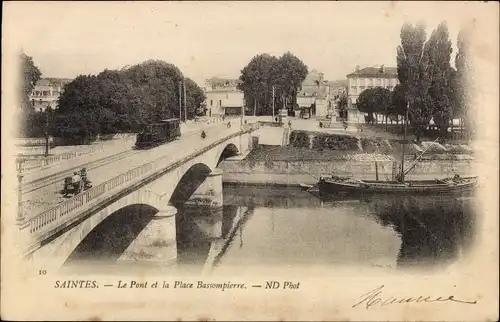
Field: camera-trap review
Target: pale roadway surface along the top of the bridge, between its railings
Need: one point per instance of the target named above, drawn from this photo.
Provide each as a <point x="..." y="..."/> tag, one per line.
<point x="49" y="196"/>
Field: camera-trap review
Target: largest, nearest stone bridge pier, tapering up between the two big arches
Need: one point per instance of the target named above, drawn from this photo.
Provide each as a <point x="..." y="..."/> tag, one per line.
<point x="157" y="242"/>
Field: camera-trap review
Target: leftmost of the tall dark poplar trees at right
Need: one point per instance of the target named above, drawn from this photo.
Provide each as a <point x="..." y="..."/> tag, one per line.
<point x="412" y="61"/>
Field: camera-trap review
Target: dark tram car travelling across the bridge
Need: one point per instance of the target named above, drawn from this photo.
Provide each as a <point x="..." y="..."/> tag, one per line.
<point x="158" y="133"/>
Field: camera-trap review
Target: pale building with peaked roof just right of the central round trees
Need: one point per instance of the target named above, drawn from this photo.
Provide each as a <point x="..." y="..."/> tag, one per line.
<point x="314" y="93"/>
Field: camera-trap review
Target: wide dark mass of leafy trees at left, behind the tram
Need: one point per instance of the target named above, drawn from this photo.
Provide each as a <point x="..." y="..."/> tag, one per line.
<point x="112" y="101"/>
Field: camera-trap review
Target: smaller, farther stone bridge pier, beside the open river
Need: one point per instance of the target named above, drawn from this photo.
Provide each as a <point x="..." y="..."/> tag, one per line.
<point x="209" y="193"/>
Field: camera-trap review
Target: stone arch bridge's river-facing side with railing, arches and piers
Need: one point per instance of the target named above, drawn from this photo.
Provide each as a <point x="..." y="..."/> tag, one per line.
<point x="157" y="188"/>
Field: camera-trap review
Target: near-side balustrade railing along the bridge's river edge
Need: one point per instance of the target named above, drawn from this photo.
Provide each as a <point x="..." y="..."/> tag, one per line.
<point x="41" y="223"/>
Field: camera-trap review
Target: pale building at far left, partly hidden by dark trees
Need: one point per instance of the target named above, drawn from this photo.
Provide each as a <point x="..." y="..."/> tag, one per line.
<point x="46" y="93"/>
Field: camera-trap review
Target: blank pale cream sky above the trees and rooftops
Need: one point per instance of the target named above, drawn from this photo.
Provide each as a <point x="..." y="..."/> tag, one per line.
<point x="204" y="40"/>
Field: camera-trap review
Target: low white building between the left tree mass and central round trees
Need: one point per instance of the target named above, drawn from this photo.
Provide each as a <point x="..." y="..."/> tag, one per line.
<point x="223" y="97"/>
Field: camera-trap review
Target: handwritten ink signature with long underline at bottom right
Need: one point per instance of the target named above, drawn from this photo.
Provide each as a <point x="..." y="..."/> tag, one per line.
<point x="375" y="297"/>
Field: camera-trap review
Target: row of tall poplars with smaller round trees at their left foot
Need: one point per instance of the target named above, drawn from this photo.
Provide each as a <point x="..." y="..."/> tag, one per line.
<point x="428" y="85"/>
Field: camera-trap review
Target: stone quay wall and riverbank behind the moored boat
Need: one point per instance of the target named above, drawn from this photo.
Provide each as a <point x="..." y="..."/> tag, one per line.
<point x="291" y="167"/>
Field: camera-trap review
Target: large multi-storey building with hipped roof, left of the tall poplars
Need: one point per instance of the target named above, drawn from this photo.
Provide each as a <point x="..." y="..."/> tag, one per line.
<point x="369" y="77"/>
